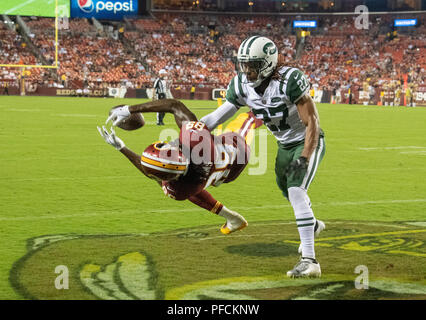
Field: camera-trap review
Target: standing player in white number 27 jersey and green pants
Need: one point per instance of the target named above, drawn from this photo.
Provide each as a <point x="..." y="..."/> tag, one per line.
<point x="279" y="95"/>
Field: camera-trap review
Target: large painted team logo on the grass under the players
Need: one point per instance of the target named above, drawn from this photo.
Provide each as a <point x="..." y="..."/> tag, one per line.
<point x="203" y="264"/>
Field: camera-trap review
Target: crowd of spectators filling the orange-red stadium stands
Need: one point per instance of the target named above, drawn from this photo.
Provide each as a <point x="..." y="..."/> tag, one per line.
<point x="200" y="50"/>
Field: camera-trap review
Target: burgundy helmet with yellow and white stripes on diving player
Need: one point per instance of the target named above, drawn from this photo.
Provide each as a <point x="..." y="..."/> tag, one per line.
<point x="162" y="161"/>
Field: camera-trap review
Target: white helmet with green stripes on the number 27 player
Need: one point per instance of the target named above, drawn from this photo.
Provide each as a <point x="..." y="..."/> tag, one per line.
<point x="258" y="53"/>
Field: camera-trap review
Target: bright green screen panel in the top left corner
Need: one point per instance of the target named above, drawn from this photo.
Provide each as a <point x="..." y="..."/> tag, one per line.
<point x="38" y="8"/>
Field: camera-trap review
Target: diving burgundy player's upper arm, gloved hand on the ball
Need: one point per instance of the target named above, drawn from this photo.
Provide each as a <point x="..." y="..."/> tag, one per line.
<point x="173" y="106"/>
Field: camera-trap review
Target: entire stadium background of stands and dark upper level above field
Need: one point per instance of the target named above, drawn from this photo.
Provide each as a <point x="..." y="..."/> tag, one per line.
<point x="196" y="42"/>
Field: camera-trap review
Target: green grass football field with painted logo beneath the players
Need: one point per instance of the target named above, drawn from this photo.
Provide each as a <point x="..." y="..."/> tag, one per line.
<point x="67" y="198"/>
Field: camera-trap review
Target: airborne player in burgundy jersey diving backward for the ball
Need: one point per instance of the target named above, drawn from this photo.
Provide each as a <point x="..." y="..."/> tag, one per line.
<point x="186" y="167"/>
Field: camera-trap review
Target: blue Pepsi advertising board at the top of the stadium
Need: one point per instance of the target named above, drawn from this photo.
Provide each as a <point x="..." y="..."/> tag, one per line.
<point x="104" y="9"/>
